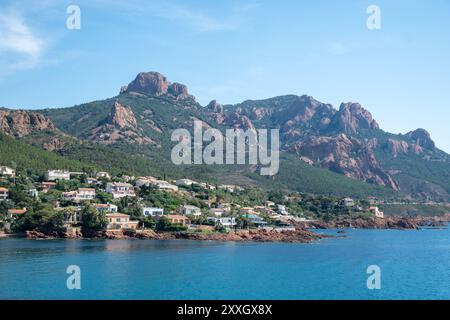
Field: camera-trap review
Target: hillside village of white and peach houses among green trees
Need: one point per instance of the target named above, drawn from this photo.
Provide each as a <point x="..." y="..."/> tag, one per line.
<point x="138" y="203"/>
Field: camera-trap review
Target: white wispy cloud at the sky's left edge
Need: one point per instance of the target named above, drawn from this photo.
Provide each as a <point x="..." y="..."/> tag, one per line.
<point x="19" y="46"/>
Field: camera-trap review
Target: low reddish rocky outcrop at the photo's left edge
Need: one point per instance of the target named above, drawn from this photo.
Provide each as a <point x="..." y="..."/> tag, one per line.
<point x="21" y="123"/>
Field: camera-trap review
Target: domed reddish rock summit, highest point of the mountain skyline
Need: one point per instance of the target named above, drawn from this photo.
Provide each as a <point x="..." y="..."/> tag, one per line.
<point x="156" y="84"/>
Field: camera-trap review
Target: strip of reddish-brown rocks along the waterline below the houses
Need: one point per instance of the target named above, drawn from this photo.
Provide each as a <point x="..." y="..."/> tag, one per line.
<point x="301" y="234"/>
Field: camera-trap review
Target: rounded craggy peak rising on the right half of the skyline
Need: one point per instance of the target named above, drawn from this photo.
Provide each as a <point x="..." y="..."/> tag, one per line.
<point x="352" y="116"/>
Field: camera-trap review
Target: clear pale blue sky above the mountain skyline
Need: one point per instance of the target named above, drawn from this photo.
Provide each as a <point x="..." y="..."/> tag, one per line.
<point x="233" y="50"/>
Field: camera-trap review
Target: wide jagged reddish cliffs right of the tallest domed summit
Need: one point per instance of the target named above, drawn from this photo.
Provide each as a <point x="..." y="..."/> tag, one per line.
<point x="344" y="141"/>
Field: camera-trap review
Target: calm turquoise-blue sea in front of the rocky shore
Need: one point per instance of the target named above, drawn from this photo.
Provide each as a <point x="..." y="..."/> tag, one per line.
<point x="414" y="265"/>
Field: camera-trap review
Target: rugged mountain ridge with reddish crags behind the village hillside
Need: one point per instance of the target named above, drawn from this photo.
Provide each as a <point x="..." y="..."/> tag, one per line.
<point x="347" y="140"/>
